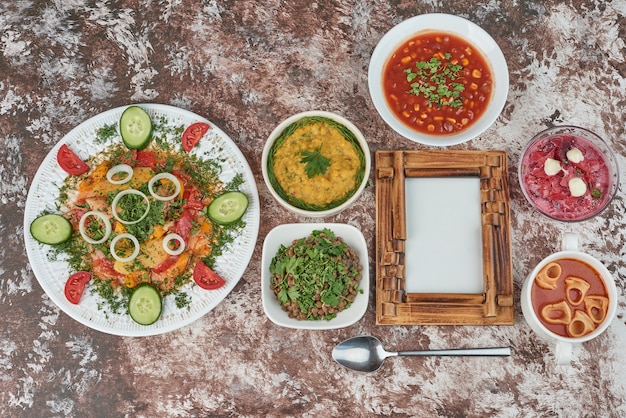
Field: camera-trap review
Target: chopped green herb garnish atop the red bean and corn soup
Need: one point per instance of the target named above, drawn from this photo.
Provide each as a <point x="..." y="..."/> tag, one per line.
<point x="435" y="80"/>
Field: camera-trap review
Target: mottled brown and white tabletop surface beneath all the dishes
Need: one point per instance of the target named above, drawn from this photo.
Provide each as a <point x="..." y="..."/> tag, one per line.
<point x="246" y="65"/>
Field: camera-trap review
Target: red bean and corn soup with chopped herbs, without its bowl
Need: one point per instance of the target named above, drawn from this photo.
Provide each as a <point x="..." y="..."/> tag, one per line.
<point x="437" y="83"/>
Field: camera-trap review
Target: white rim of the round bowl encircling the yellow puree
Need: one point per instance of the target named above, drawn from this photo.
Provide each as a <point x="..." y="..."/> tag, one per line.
<point x="279" y="130"/>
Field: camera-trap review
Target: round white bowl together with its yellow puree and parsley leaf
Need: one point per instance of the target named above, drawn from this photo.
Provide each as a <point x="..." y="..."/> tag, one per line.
<point x="316" y="163"/>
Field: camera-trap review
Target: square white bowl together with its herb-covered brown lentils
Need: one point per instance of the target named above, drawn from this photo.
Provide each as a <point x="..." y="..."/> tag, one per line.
<point x="315" y="276"/>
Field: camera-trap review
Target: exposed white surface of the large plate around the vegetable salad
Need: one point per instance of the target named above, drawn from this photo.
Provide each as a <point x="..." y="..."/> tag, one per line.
<point x="52" y="274"/>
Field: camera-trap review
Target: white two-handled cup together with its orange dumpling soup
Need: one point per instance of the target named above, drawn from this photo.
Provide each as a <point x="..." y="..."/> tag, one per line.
<point x="563" y="320"/>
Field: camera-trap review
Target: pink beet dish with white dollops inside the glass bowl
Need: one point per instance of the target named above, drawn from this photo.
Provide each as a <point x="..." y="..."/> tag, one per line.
<point x="566" y="177"/>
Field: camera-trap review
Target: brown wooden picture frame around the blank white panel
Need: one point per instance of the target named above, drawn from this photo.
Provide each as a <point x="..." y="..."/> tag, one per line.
<point x="396" y="306"/>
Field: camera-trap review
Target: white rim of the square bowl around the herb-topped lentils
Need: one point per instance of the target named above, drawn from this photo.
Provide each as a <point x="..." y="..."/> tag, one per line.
<point x="284" y="235"/>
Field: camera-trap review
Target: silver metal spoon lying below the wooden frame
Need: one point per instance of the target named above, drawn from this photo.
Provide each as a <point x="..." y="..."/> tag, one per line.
<point x="366" y="353"/>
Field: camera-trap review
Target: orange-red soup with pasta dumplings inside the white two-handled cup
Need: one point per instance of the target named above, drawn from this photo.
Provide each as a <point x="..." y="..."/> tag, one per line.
<point x="590" y="299"/>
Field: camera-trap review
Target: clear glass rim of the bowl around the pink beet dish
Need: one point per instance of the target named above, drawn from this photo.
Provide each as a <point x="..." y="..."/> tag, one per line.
<point x="607" y="152"/>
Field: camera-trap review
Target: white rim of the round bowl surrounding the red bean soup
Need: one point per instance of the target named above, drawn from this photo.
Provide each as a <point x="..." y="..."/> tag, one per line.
<point x="440" y="23"/>
